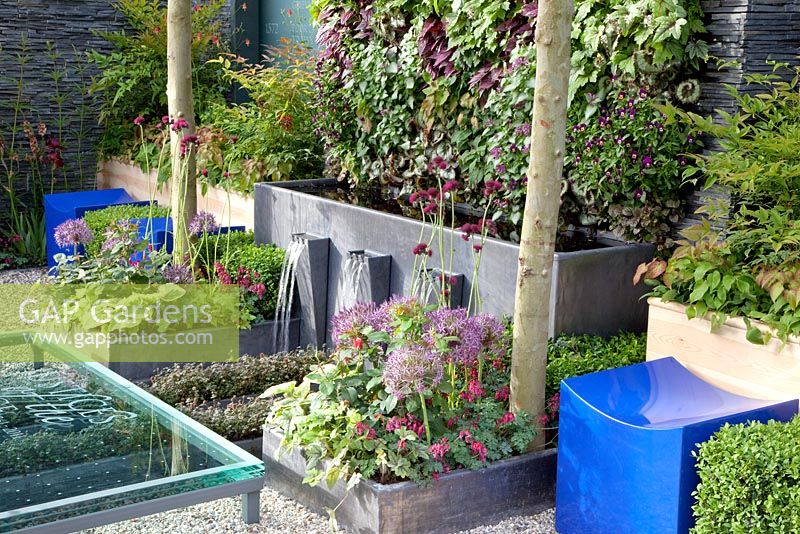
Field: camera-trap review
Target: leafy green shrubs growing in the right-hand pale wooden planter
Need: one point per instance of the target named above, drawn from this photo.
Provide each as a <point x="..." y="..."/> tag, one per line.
<point x="751" y="269"/>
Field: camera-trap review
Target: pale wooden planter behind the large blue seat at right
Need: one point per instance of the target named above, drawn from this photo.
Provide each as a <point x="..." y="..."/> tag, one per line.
<point x="724" y="358"/>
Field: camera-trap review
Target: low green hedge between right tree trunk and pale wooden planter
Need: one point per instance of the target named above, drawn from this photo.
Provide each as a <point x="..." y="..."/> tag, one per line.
<point x="571" y="355"/>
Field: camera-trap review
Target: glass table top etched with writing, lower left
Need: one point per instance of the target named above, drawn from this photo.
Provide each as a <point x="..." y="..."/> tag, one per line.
<point x="76" y="438"/>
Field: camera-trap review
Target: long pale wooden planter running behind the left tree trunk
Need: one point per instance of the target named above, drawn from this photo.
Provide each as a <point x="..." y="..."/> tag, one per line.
<point x="230" y="209"/>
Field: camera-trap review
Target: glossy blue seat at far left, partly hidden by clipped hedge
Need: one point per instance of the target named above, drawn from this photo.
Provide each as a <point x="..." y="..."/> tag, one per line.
<point x="60" y="207"/>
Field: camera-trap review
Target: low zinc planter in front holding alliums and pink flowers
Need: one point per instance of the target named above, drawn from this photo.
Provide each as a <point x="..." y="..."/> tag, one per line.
<point x="460" y="500"/>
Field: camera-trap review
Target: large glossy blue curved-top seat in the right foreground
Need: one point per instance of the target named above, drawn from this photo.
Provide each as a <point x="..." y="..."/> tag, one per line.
<point x="626" y="438"/>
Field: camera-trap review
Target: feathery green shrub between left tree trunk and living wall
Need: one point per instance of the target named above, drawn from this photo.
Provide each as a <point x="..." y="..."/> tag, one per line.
<point x="273" y="132"/>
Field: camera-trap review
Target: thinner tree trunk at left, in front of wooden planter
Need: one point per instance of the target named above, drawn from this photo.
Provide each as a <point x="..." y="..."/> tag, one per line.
<point x="181" y="106"/>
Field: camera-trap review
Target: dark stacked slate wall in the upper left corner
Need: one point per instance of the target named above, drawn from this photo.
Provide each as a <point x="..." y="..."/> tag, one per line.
<point x="26" y="28"/>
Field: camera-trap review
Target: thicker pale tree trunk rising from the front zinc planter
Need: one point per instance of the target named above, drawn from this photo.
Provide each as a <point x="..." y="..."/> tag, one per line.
<point x="540" y="223"/>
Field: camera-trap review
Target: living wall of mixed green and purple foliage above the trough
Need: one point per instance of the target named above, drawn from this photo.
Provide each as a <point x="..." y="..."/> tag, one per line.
<point x="405" y="83"/>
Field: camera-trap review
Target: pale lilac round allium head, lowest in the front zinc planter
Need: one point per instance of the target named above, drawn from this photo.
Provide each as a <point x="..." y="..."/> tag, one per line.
<point x="412" y="369"/>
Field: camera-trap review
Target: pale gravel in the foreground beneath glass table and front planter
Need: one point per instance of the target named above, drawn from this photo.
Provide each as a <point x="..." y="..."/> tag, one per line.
<point x="279" y="515"/>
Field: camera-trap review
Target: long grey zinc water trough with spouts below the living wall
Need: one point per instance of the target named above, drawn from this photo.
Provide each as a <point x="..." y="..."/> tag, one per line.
<point x="592" y="291"/>
